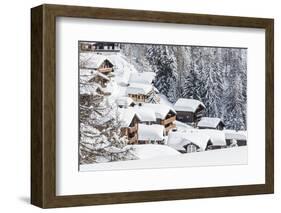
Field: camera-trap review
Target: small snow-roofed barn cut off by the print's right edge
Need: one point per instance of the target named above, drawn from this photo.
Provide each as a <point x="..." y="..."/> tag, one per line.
<point x="235" y="138"/>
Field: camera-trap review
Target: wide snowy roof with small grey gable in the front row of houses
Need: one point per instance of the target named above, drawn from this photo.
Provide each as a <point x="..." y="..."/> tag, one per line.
<point x="178" y="140"/>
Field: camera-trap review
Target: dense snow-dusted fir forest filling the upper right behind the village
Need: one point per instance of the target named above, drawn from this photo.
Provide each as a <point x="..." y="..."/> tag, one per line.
<point x="216" y="76"/>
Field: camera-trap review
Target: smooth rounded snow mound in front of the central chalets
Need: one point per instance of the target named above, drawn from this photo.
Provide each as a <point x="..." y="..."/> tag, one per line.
<point x="148" y="151"/>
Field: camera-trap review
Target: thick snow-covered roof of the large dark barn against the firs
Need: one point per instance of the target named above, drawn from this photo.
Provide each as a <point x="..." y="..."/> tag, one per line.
<point x="187" y="105"/>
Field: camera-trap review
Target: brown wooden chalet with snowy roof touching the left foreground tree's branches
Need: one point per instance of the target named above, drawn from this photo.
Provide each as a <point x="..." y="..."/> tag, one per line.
<point x="129" y="124"/>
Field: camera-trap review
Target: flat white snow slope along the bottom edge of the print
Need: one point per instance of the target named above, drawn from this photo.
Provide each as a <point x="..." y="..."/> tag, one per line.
<point x="229" y="156"/>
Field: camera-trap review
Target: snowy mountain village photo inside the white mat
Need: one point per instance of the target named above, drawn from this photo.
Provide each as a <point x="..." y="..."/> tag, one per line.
<point x="161" y="105"/>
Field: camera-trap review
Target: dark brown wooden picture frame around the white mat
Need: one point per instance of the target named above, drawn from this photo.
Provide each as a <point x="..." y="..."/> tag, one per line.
<point x="43" y="105"/>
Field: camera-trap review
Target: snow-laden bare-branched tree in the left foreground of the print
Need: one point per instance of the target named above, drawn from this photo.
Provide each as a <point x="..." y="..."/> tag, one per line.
<point x="101" y="139"/>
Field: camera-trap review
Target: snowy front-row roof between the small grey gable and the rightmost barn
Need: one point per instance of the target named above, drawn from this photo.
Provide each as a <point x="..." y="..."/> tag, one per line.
<point x="217" y="136"/>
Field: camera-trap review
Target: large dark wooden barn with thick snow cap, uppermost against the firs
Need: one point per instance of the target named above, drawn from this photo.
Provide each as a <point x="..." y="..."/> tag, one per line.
<point x="189" y="110"/>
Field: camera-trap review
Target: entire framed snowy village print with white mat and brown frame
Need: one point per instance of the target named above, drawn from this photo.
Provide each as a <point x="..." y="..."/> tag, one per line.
<point x="137" y="106"/>
